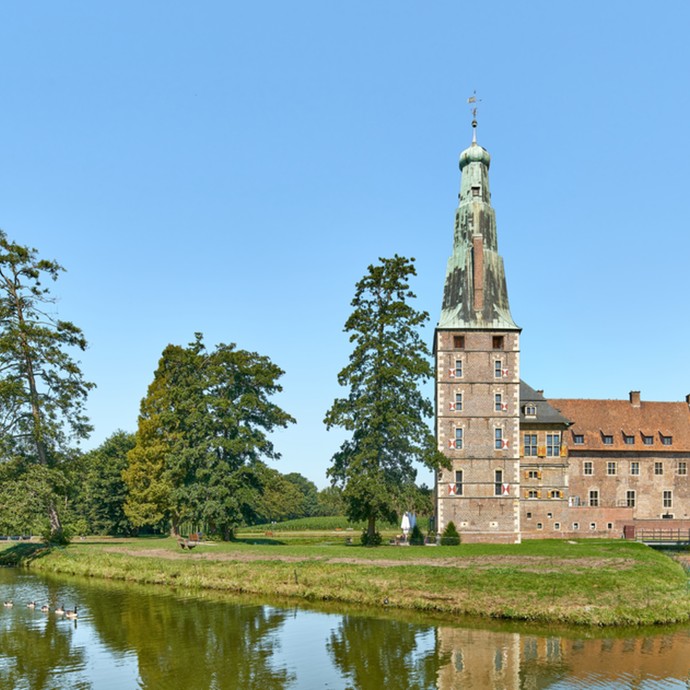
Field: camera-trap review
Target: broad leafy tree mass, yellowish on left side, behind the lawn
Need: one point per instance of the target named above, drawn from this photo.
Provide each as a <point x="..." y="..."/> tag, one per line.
<point x="203" y="431"/>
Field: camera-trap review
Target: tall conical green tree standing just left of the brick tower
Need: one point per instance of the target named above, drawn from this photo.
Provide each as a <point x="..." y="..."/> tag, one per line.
<point x="385" y="410"/>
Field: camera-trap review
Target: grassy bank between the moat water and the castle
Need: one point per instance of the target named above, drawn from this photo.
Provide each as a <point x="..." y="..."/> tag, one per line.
<point x="592" y="582"/>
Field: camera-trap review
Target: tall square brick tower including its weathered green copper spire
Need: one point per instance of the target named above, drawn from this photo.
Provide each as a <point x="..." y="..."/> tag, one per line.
<point x="477" y="349"/>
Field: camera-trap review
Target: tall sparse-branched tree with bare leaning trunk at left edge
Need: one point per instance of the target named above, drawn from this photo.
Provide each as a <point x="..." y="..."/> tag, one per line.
<point x="42" y="390"/>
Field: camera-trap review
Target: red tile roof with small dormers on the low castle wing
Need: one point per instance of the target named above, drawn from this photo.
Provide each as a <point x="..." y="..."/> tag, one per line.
<point x="595" y="419"/>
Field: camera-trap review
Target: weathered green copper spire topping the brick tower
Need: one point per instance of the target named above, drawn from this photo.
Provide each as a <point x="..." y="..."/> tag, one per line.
<point x="475" y="293"/>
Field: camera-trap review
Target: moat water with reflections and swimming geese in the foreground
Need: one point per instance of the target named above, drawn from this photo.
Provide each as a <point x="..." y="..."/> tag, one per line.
<point x="136" y="637"/>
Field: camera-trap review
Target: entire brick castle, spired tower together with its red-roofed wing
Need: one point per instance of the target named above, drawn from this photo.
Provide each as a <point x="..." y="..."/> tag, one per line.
<point x="523" y="466"/>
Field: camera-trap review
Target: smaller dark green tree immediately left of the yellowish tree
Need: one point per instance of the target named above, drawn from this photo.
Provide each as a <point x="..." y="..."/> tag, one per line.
<point x="103" y="490"/>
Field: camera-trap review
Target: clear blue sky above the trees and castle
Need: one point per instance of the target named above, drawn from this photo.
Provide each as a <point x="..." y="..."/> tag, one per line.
<point x="233" y="168"/>
